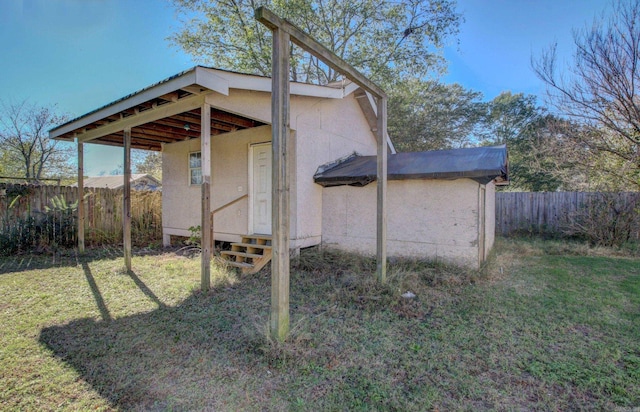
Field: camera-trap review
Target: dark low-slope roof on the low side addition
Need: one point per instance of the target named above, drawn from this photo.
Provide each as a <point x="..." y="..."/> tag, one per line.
<point x="482" y="164"/>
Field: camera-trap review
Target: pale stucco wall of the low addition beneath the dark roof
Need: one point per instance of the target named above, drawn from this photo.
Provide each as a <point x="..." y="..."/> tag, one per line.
<point x="433" y="219"/>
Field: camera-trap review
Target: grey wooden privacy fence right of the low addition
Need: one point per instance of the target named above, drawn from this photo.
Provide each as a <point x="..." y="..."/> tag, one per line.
<point x="560" y="213"/>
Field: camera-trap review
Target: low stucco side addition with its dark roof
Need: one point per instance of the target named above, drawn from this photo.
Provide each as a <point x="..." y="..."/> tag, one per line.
<point x="441" y="204"/>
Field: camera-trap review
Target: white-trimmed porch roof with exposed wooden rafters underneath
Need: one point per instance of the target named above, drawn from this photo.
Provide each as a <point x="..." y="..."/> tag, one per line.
<point x="169" y="111"/>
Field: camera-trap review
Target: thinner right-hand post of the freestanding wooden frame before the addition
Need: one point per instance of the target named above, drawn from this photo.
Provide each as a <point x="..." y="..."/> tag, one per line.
<point x="381" y="233"/>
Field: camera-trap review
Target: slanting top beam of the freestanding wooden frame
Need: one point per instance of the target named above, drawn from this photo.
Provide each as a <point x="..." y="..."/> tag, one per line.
<point x="306" y="42"/>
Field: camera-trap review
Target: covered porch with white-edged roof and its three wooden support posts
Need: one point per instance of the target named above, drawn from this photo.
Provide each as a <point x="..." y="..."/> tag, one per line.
<point x="177" y="109"/>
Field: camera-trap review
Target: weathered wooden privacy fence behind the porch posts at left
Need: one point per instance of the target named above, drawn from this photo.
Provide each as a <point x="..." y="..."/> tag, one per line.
<point x="52" y="211"/>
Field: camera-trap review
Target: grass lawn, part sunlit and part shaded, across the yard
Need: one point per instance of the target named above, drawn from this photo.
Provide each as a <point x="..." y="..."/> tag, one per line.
<point x="545" y="326"/>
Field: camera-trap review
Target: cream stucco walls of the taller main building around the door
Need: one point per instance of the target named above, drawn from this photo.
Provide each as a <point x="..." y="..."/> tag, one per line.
<point x="323" y="130"/>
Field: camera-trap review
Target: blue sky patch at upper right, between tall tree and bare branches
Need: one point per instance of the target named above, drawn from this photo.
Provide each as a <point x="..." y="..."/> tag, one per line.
<point x="499" y="37"/>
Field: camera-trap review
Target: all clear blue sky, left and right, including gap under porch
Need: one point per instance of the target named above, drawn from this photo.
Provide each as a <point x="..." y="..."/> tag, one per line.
<point x="82" y="54"/>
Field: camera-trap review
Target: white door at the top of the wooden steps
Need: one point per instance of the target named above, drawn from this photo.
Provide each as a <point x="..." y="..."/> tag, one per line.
<point x="261" y="190"/>
